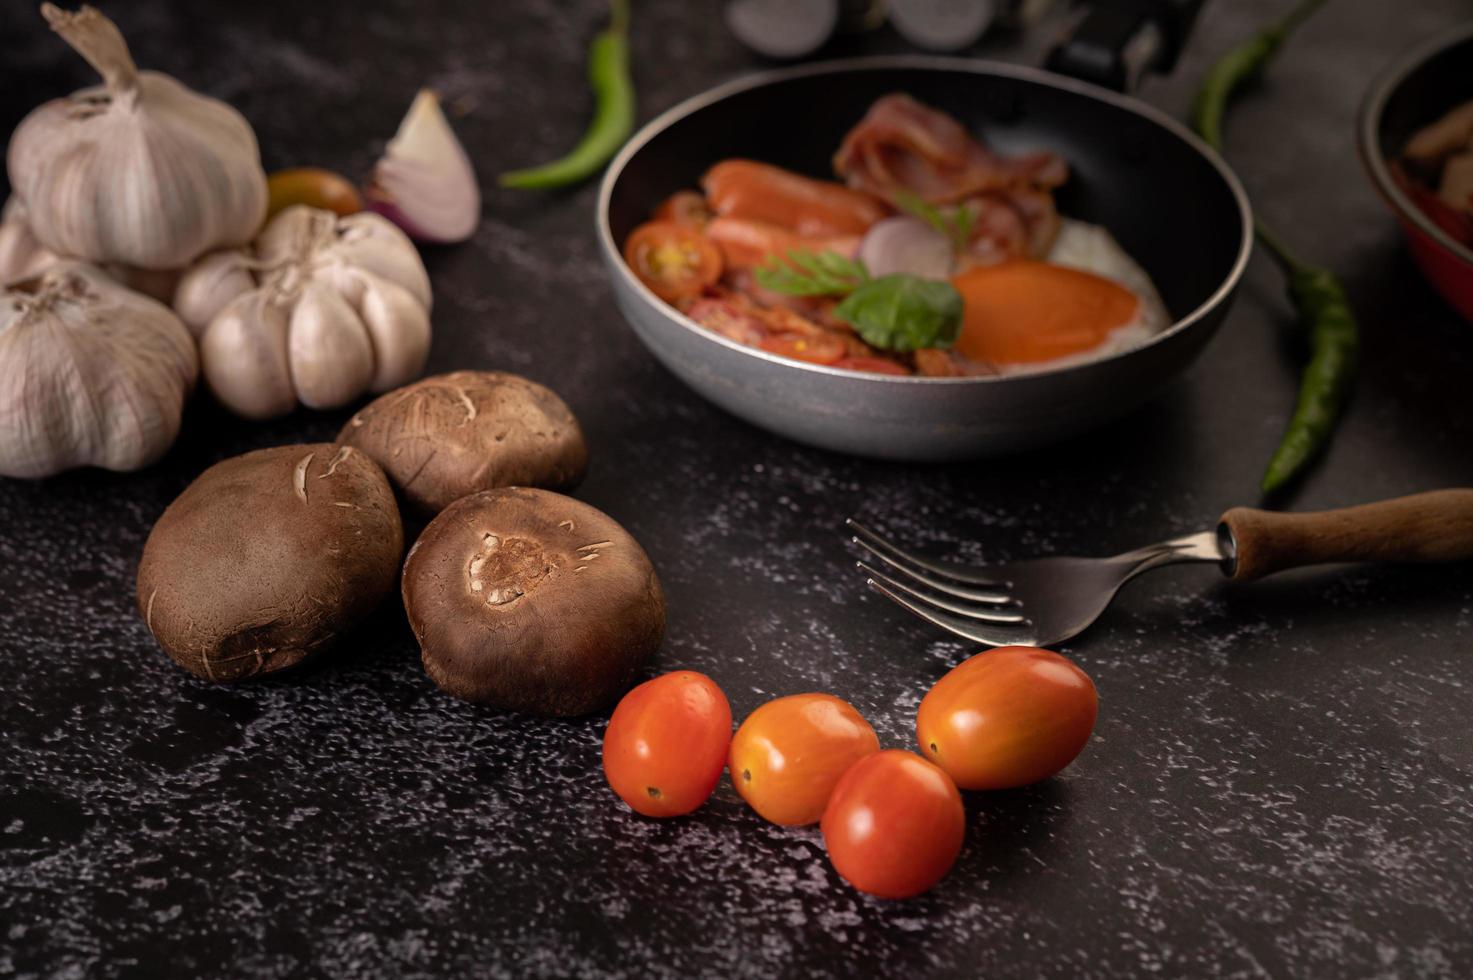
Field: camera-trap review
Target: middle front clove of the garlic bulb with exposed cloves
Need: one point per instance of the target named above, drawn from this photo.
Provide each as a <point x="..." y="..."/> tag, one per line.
<point x="332" y="357"/>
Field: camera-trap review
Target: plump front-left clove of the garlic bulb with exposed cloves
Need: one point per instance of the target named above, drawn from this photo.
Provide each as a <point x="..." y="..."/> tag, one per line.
<point x="245" y="356"/>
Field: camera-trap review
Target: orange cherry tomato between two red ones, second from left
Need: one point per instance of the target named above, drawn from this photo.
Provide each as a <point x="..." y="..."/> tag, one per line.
<point x="789" y="754"/>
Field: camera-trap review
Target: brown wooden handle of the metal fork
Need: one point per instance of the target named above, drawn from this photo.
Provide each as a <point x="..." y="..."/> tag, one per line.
<point x="1435" y="527"/>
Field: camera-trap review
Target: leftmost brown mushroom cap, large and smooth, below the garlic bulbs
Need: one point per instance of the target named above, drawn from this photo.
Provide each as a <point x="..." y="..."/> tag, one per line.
<point x="269" y="558"/>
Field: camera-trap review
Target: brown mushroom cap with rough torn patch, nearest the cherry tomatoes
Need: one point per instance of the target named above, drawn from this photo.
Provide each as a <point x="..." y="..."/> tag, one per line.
<point x="532" y="602"/>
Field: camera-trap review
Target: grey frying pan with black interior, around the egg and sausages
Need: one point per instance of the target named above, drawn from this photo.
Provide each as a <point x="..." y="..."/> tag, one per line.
<point x="1163" y="194"/>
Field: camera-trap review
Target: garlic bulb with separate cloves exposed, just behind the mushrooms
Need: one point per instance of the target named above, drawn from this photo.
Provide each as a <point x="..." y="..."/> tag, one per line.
<point x="317" y="312"/>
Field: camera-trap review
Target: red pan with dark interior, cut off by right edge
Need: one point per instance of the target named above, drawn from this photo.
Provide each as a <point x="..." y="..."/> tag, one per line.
<point x="1416" y="91"/>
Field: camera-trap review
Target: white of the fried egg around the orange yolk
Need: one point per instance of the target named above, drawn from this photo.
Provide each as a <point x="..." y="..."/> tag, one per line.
<point x="1092" y="248"/>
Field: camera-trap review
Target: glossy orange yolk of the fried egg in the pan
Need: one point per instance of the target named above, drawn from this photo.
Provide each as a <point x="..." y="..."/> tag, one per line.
<point x="1024" y="312"/>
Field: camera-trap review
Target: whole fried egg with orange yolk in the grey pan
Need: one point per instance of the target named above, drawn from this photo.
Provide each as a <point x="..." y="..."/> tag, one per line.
<point x="1088" y="300"/>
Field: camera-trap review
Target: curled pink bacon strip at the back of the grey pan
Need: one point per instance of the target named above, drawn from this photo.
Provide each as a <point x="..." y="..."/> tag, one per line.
<point x="904" y="145"/>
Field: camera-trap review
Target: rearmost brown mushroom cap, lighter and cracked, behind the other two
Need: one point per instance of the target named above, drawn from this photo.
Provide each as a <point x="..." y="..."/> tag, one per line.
<point x="451" y="435"/>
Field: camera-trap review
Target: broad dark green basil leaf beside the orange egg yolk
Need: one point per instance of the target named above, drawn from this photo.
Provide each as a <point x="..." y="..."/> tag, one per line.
<point x="904" y="313"/>
